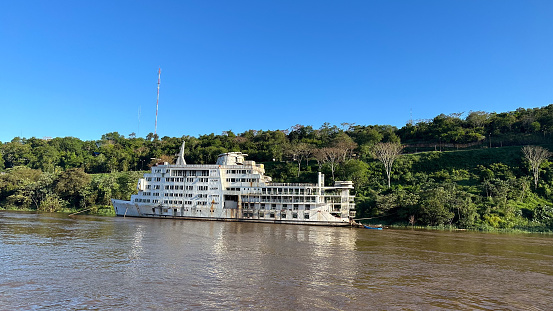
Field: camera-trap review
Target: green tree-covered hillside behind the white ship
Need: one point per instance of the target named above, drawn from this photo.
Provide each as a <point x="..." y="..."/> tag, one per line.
<point x="474" y="170"/>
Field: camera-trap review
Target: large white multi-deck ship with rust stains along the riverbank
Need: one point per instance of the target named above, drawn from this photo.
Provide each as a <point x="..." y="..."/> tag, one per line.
<point x="234" y="189"/>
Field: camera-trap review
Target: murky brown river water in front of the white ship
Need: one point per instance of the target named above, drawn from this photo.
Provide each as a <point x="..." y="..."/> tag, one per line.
<point x="57" y="262"/>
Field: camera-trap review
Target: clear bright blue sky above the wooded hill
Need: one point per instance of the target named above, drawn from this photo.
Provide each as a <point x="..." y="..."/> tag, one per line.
<point x="86" y="68"/>
